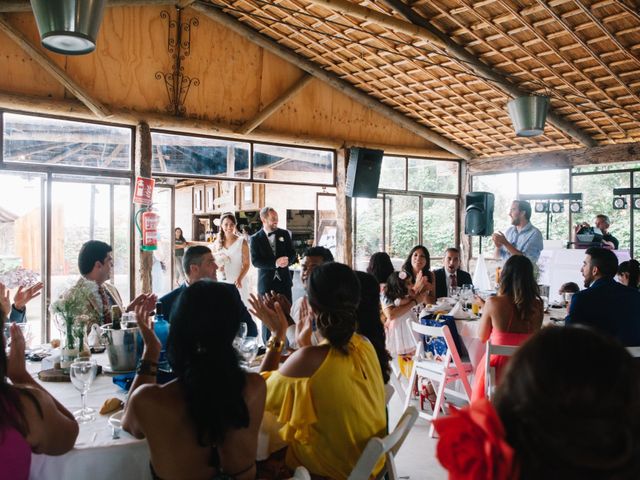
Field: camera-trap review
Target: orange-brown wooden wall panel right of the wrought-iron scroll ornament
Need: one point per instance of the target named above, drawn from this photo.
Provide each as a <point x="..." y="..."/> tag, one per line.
<point x="229" y="69"/>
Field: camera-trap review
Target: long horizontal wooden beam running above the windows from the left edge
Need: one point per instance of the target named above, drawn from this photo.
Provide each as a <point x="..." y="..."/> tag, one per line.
<point x="75" y="110"/>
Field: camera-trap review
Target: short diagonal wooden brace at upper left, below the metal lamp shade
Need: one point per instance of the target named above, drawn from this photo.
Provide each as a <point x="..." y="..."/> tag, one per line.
<point x="53" y="69"/>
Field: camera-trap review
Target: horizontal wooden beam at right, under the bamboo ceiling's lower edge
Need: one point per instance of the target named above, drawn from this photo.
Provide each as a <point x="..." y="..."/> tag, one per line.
<point x="621" y="152"/>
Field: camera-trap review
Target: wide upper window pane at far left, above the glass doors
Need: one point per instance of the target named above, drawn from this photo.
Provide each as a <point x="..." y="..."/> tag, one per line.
<point x="50" y="141"/>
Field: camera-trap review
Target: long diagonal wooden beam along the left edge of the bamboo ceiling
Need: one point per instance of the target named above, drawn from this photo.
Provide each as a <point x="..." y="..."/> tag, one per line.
<point x="331" y="79"/>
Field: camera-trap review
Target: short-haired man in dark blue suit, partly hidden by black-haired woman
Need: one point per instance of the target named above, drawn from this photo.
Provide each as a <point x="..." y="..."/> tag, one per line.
<point x="199" y="264"/>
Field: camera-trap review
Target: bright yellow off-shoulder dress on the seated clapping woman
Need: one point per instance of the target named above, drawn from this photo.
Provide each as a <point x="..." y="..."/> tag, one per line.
<point x="327" y="419"/>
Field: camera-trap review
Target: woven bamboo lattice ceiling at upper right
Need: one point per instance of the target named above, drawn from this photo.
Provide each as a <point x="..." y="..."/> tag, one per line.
<point x="584" y="54"/>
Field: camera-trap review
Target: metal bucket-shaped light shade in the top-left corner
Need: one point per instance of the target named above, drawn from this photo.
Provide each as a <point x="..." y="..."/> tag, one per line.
<point x="69" y="27"/>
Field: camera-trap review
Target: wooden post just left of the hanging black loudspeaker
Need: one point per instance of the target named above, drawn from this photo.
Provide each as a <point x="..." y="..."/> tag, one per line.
<point x="344" y="227"/>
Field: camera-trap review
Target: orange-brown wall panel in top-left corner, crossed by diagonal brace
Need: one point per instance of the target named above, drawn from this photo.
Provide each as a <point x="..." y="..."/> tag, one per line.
<point x="20" y="74"/>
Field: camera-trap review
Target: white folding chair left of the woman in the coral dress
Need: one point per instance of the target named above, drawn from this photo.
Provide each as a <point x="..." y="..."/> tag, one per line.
<point x="444" y="372"/>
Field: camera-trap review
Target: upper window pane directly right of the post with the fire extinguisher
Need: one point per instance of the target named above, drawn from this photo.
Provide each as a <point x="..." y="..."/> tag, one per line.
<point x="192" y="155"/>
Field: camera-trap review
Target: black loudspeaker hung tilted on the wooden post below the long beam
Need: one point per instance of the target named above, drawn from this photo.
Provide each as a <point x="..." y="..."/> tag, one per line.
<point x="363" y="172"/>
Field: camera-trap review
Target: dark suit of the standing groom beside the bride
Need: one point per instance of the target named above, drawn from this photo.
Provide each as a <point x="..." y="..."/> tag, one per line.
<point x="271" y="277"/>
